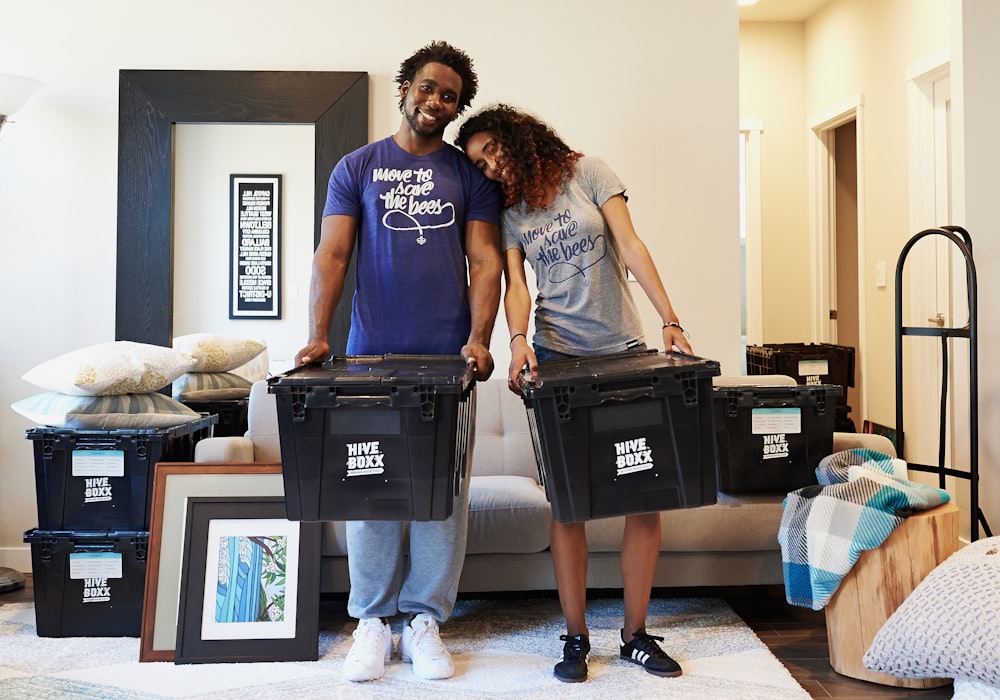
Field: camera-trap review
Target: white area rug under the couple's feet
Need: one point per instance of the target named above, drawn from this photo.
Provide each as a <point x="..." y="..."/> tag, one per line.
<point x="502" y="648"/>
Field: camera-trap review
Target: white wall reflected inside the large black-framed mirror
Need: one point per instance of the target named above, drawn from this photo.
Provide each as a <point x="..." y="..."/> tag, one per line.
<point x="205" y="155"/>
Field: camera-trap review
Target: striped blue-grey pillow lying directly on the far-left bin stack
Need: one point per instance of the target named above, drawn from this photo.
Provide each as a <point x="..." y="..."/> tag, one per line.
<point x="118" y="412"/>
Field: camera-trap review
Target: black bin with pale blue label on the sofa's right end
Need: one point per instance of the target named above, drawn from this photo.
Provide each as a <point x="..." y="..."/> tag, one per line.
<point x="772" y="438"/>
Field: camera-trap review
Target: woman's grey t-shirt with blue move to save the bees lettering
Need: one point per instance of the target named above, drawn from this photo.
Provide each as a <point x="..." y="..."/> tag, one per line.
<point x="584" y="306"/>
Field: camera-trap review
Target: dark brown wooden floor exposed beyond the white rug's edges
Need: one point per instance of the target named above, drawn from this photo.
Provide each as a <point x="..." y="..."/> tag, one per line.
<point x="797" y="636"/>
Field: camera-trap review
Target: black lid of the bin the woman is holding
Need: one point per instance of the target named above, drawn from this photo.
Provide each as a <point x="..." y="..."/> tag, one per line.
<point x="618" y="367"/>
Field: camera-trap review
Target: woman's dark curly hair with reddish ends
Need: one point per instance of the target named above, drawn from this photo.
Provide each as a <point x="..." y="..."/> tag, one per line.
<point x="531" y="153"/>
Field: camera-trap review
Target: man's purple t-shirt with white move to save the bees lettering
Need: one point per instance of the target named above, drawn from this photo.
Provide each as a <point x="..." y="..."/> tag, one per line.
<point x="412" y="276"/>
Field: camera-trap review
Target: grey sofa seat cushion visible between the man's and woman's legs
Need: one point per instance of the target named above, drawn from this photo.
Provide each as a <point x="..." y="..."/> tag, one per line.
<point x="507" y="514"/>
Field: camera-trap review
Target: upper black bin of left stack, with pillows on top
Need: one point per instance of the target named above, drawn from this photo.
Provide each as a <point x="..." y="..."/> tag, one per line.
<point x="102" y="479"/>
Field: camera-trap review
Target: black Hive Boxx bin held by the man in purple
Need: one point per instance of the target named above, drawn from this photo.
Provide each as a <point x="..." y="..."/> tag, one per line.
<point x="375" y="437"/>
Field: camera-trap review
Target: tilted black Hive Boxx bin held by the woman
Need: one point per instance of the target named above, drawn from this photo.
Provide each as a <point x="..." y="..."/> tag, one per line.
<point x="622" y="434"/>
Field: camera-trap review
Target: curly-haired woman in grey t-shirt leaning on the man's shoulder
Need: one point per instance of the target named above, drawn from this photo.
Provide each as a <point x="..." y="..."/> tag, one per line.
<point x="566" y="214"/>
